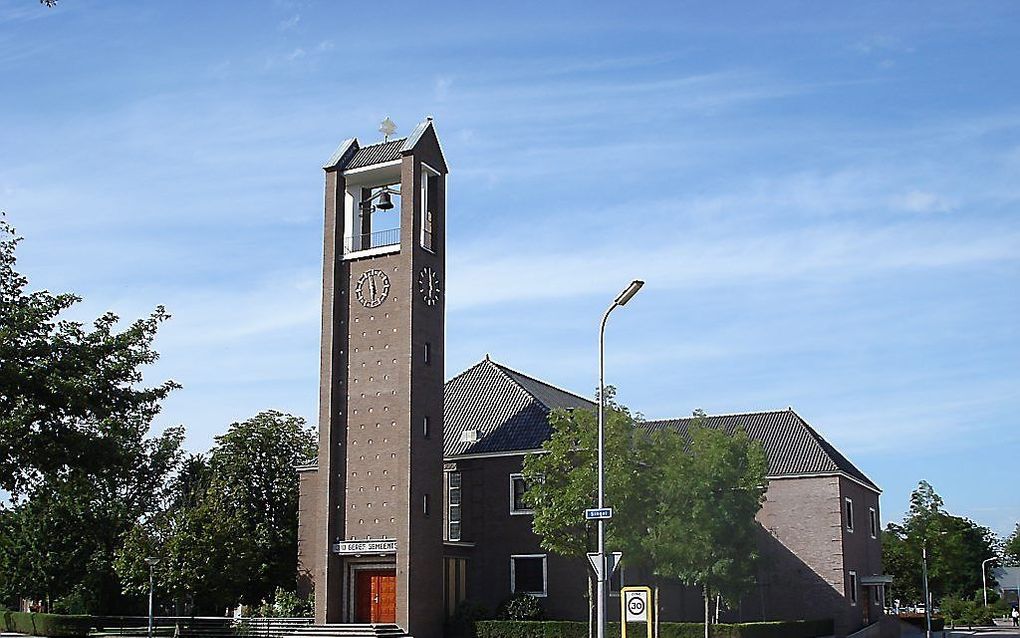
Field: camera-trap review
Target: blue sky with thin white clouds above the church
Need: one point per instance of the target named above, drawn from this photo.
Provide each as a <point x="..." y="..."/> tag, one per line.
<point x="823" y="200"/>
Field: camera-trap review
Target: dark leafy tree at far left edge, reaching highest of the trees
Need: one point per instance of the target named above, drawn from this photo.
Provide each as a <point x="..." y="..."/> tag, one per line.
<point x="71" y="398"/>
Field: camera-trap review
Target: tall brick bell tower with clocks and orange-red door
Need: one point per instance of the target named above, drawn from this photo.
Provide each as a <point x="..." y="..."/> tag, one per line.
<point x="371" y="534"/>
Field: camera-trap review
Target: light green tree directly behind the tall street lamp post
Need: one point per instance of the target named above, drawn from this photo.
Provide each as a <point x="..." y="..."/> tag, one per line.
<point x="563" y="483"/>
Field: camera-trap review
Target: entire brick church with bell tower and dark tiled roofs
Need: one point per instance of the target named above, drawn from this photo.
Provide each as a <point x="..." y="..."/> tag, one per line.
<point x="416" y="503"/>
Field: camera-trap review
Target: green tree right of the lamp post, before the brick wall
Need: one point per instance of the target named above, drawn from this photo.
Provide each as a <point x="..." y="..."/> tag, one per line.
<point x="705" y="530"/>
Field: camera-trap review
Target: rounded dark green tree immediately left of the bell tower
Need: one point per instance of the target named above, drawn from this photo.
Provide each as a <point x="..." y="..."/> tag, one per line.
<point x="231" y="532"/>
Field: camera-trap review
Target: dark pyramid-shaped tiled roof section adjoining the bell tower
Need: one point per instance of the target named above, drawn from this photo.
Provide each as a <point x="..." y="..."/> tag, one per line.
<point x="509" y="410"/>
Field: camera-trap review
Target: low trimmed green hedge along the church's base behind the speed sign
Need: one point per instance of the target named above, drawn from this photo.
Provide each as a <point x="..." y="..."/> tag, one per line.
<point x="574" y="629"/>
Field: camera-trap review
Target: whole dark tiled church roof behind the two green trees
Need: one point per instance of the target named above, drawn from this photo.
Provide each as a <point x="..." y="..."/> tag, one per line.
<point x="511" y="412"/>
